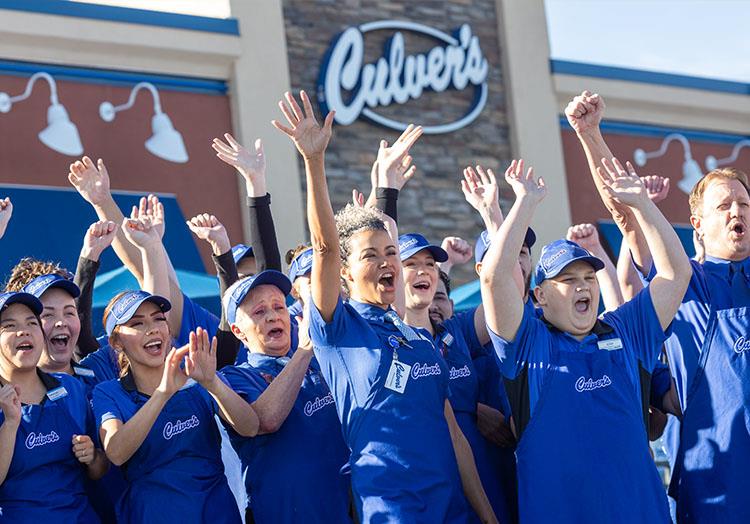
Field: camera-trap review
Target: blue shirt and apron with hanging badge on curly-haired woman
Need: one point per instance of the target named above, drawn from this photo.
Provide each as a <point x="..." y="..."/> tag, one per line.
<point x="403" y="465"/>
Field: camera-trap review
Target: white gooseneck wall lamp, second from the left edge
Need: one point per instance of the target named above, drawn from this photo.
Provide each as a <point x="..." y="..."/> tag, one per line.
<point x="165" y="142"/>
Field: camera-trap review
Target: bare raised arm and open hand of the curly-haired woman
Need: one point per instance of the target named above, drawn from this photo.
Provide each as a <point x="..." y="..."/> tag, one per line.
<point x="311" y="141"/>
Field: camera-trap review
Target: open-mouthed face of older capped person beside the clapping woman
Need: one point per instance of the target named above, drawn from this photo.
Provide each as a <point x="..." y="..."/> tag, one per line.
<point x="263" y="321"/>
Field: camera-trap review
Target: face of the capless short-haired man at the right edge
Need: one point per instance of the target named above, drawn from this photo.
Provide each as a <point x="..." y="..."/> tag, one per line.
<point x="722" y="223"/>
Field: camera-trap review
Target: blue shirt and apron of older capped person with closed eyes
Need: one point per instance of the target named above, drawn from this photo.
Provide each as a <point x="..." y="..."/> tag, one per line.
<point x="308" y="448"/>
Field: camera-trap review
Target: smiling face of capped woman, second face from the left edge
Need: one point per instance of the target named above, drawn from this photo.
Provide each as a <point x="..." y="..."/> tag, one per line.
<point x="61" y="327"/>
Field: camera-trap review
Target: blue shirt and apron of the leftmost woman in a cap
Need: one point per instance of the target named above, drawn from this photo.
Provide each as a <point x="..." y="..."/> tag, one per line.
<point x="45" y="481"/>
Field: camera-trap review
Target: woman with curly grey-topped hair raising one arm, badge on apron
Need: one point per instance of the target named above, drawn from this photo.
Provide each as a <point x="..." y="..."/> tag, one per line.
<point x="408" y="459"/>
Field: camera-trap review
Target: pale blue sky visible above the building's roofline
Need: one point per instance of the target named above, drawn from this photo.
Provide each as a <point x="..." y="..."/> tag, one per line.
<point x="708" y="38"/>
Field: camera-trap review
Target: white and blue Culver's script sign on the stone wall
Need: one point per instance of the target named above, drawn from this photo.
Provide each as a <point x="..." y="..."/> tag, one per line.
<point x="355" y="89"/>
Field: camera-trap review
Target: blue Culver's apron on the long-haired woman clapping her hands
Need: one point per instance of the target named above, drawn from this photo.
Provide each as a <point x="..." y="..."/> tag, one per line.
<point x="177" y="473"/>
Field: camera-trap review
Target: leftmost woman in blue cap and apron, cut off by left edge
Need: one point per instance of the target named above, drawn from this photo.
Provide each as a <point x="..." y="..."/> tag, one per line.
<point x="46" y="444"/>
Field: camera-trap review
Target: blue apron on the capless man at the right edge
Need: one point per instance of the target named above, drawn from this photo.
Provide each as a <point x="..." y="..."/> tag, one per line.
<point x="710" y="481"/>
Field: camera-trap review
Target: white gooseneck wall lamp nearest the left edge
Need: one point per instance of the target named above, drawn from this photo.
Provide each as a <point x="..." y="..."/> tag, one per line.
<point x="60" y="134"/>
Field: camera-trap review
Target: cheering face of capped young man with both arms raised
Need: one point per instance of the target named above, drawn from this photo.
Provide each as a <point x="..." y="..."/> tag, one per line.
<point x="570" y="300"/>
